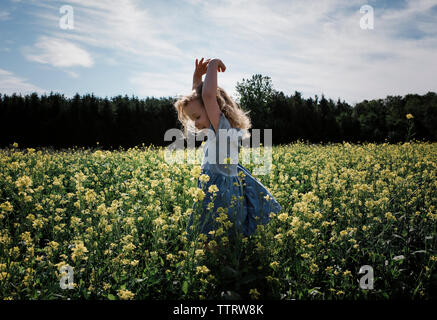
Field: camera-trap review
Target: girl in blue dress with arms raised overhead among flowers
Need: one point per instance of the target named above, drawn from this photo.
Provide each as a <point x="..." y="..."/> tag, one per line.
<point x="231" y="191"/>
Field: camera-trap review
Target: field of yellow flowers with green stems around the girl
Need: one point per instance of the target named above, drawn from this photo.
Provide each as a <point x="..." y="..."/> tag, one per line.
<point x="118" y="219"/>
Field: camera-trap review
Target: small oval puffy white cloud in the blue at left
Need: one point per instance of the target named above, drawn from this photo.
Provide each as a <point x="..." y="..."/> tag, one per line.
<point x="58" y="53"/>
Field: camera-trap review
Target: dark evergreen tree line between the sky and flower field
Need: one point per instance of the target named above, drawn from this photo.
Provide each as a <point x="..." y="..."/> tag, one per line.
<point x="89" y="121"/>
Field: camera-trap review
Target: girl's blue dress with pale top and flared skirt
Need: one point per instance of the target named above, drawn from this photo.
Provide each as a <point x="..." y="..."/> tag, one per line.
<point x="244" y="198"/>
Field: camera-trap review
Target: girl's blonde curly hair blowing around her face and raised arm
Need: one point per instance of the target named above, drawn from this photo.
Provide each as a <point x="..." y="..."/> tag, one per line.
<point x="237" y="117"/>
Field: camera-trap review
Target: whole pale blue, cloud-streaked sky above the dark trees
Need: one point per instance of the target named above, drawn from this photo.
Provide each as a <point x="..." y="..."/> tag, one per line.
<point x="148" y="48"/>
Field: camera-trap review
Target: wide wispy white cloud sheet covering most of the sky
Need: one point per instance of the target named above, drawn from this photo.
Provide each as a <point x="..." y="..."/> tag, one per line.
<point x="314" y="47"/>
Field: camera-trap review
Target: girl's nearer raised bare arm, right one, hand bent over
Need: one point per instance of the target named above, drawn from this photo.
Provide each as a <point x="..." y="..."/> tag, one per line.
<point x="209" y="92"/>
